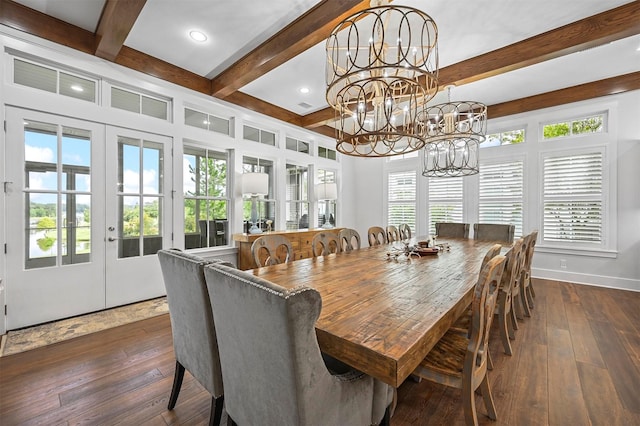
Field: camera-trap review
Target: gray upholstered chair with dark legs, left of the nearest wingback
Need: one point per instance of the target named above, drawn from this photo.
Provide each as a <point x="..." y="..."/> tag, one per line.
<point x="194" y="333"/>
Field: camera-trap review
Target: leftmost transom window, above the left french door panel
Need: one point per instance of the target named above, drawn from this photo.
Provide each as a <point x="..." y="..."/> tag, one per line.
<point x="54" y="81"/>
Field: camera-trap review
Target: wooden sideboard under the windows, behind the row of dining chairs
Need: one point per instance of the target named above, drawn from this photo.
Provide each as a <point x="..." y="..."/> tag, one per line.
<point x="300" y="243"/>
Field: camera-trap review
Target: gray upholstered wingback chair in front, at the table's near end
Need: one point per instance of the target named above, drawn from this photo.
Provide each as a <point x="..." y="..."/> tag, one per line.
<point x="273" y="370"/>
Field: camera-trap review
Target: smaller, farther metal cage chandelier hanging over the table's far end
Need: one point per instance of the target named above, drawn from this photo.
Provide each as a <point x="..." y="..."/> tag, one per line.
<point x="453" y="131"/>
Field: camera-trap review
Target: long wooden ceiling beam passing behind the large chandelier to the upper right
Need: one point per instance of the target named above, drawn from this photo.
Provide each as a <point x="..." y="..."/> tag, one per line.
<point x="614" y="24"/>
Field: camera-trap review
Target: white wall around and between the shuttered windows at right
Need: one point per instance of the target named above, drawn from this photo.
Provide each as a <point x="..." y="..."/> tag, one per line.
<point x="620" y="270"/>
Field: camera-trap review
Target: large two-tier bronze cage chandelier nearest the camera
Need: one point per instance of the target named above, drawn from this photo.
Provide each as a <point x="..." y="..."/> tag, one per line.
<point x="382" y="68"/>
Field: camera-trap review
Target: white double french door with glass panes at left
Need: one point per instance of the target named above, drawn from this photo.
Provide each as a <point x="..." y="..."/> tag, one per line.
<point x="81" y="233"/>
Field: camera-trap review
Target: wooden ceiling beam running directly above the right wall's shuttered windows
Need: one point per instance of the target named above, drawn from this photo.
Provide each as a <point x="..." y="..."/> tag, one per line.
<point x="581" y="92"/>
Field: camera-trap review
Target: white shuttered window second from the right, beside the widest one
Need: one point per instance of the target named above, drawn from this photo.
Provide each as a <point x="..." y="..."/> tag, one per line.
<point x="501" y="194"/>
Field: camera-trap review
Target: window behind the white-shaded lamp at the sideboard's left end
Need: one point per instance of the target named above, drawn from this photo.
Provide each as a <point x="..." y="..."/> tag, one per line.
<point x="267" y="204"/>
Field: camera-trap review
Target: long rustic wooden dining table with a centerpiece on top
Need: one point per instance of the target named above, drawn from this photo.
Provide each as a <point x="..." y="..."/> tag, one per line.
<point x="380" y="314"/>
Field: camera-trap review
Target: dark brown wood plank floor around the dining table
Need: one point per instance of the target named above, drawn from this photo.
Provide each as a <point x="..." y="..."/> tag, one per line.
<point x="576" y="362"/>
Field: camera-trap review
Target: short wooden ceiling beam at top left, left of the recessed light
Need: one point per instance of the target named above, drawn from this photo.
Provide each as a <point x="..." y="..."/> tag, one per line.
<point x="114" y="26"/>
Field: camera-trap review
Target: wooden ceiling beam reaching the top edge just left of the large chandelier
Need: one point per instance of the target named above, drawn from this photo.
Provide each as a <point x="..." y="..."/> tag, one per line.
<point x="303" y="33"/>
